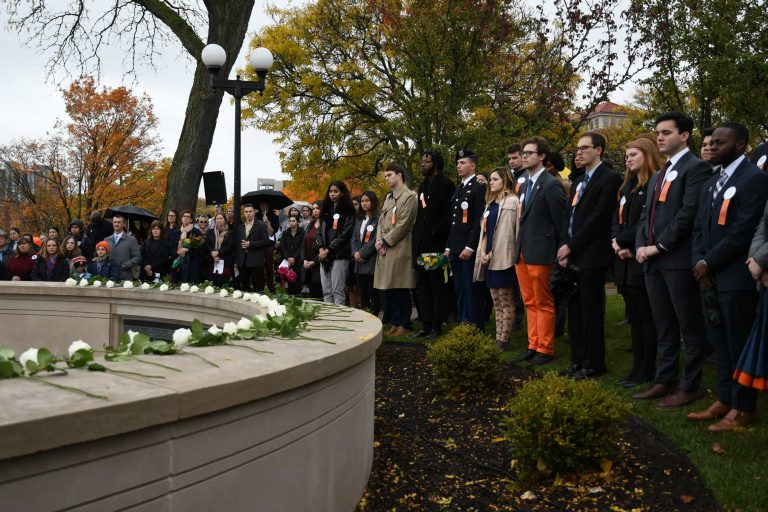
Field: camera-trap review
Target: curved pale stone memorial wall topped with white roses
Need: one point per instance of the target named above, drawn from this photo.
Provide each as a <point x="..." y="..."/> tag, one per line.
<point x="292" y="430"/>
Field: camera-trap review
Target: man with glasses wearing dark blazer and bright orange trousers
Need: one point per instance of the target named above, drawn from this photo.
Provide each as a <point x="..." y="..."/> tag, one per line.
<point x="542" y="200"/>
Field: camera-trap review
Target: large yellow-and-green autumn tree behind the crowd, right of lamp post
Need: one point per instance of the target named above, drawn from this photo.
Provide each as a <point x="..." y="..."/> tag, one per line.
<point x="363" y="81"/>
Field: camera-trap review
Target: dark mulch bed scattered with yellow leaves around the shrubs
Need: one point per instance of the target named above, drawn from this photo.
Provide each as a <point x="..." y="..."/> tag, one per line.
<point x="436" y="453"/>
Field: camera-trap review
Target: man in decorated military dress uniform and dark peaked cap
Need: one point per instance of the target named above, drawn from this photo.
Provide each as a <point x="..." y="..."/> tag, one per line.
<point x="467" y="205"/>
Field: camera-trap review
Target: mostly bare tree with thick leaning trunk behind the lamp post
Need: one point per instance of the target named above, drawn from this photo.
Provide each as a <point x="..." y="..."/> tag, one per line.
<point x="75" y="35"/>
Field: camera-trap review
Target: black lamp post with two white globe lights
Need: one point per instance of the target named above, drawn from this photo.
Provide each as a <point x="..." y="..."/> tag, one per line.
<point x="261" y="60"/>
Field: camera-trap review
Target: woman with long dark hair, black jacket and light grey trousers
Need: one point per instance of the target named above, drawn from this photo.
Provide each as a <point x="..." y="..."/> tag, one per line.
<point x="333" y="243"/>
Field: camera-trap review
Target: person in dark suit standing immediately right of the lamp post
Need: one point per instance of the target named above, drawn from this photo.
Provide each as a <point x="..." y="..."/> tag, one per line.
<point x="252" y="240"/>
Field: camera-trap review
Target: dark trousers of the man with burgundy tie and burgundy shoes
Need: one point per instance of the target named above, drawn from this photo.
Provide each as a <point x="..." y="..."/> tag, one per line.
<point x="676" y="307"/>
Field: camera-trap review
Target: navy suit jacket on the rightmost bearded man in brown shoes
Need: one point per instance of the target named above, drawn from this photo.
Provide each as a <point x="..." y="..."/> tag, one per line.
<point x="726" y="248"/>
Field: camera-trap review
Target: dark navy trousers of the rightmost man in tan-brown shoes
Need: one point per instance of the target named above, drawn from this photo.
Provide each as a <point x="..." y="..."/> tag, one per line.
<point x="738" y="310"/>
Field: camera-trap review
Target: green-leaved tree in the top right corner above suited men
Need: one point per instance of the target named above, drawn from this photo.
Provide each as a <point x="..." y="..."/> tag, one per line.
<point x="709" y="59"/>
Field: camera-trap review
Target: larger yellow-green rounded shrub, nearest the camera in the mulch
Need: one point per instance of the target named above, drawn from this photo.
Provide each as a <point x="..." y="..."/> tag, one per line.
<point x="558" y="425"/>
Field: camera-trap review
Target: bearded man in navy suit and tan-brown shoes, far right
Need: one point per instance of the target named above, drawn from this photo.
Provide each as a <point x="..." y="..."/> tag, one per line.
<point x="730" y="207"/>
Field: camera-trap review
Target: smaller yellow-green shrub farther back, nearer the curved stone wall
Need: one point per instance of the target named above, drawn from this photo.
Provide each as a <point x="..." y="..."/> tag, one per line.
<point x="464" y="359"/>
